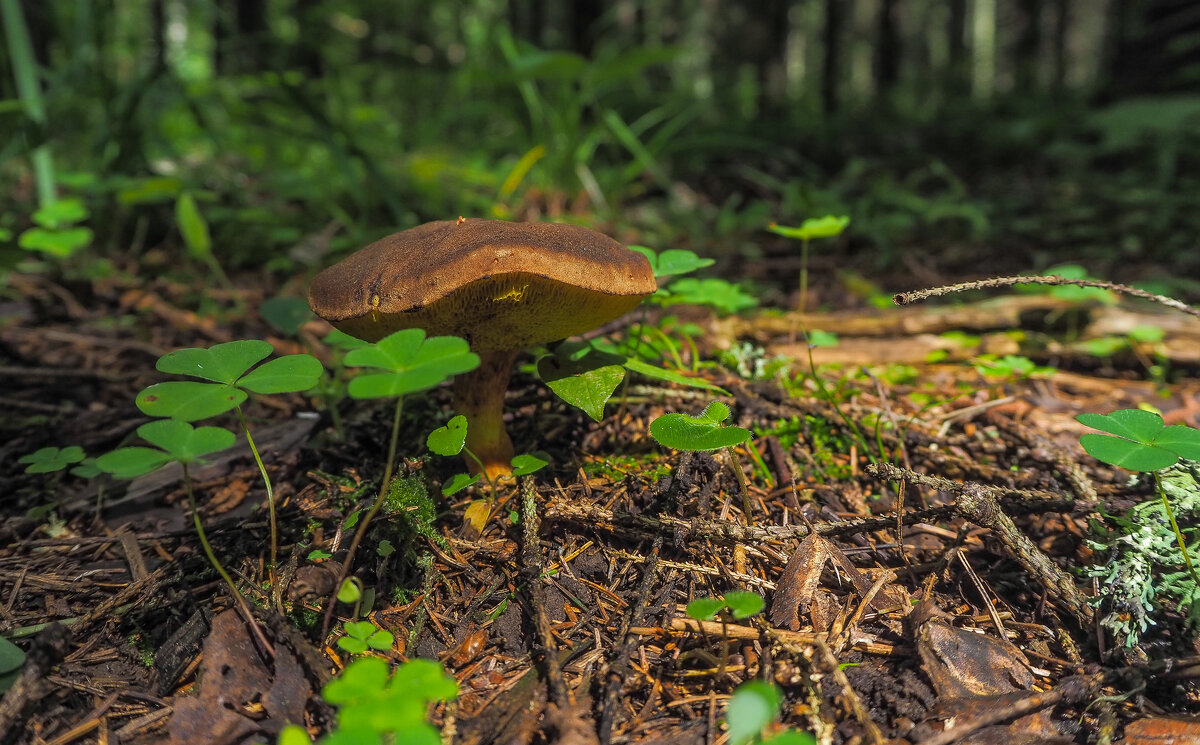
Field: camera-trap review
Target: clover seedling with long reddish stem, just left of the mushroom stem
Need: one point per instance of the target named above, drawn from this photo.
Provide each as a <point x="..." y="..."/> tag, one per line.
<point x="400" y="364"/>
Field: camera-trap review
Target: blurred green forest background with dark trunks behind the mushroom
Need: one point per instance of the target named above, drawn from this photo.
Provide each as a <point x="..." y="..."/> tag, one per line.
<point x="268" y="137"/>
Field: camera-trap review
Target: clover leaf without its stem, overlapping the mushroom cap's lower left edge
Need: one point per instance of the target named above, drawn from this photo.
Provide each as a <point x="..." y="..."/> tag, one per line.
<point x="413" y="363"/>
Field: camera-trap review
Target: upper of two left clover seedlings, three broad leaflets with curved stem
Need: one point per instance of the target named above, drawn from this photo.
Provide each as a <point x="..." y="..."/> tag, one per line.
<point x="227" y="368"/>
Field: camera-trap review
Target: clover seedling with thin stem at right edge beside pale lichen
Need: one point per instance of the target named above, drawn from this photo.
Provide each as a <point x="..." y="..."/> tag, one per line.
<point x="1141" y="442"/>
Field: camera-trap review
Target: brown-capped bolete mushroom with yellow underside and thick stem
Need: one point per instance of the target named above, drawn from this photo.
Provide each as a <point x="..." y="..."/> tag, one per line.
<point x="502" y="286"/>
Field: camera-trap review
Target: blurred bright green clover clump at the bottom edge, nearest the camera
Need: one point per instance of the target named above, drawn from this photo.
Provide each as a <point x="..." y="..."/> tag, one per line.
<point x="373" y="705"/>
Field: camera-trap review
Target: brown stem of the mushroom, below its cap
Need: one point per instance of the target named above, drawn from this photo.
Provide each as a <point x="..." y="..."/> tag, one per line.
<point x="479" y="396"/>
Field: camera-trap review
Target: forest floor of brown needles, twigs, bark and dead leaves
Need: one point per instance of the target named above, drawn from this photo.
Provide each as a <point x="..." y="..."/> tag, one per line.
<point x="892" y="611"/>
